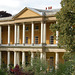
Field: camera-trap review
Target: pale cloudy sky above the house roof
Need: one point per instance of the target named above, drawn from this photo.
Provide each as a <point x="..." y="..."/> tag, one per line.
<point x="15" y="6"/>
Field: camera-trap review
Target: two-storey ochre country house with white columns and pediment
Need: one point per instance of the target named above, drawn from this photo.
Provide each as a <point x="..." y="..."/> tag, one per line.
<point x="25" y="34"/>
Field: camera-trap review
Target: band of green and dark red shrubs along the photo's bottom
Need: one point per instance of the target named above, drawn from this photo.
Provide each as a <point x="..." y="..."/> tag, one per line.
<point x="40" y="68"/>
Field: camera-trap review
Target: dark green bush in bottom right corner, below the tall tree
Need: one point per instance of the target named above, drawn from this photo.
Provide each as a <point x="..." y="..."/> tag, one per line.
<point x="65" y="69"/>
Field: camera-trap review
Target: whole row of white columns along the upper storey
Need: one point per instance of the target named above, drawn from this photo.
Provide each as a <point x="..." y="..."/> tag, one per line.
<point x="17" y="34"/>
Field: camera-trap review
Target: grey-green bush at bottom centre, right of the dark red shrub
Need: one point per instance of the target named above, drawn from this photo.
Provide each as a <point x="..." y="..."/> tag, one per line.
<point x="38" y="67"/>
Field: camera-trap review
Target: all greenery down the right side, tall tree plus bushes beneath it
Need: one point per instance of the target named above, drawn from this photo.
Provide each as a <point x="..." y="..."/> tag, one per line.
<point x="66" y="27"/>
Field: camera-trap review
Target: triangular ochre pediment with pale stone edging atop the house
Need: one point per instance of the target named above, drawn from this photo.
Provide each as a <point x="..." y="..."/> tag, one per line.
<point x="25" y="13"/>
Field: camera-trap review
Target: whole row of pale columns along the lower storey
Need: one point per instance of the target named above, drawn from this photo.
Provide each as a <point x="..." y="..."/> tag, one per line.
<point x="17" y="59"/>
